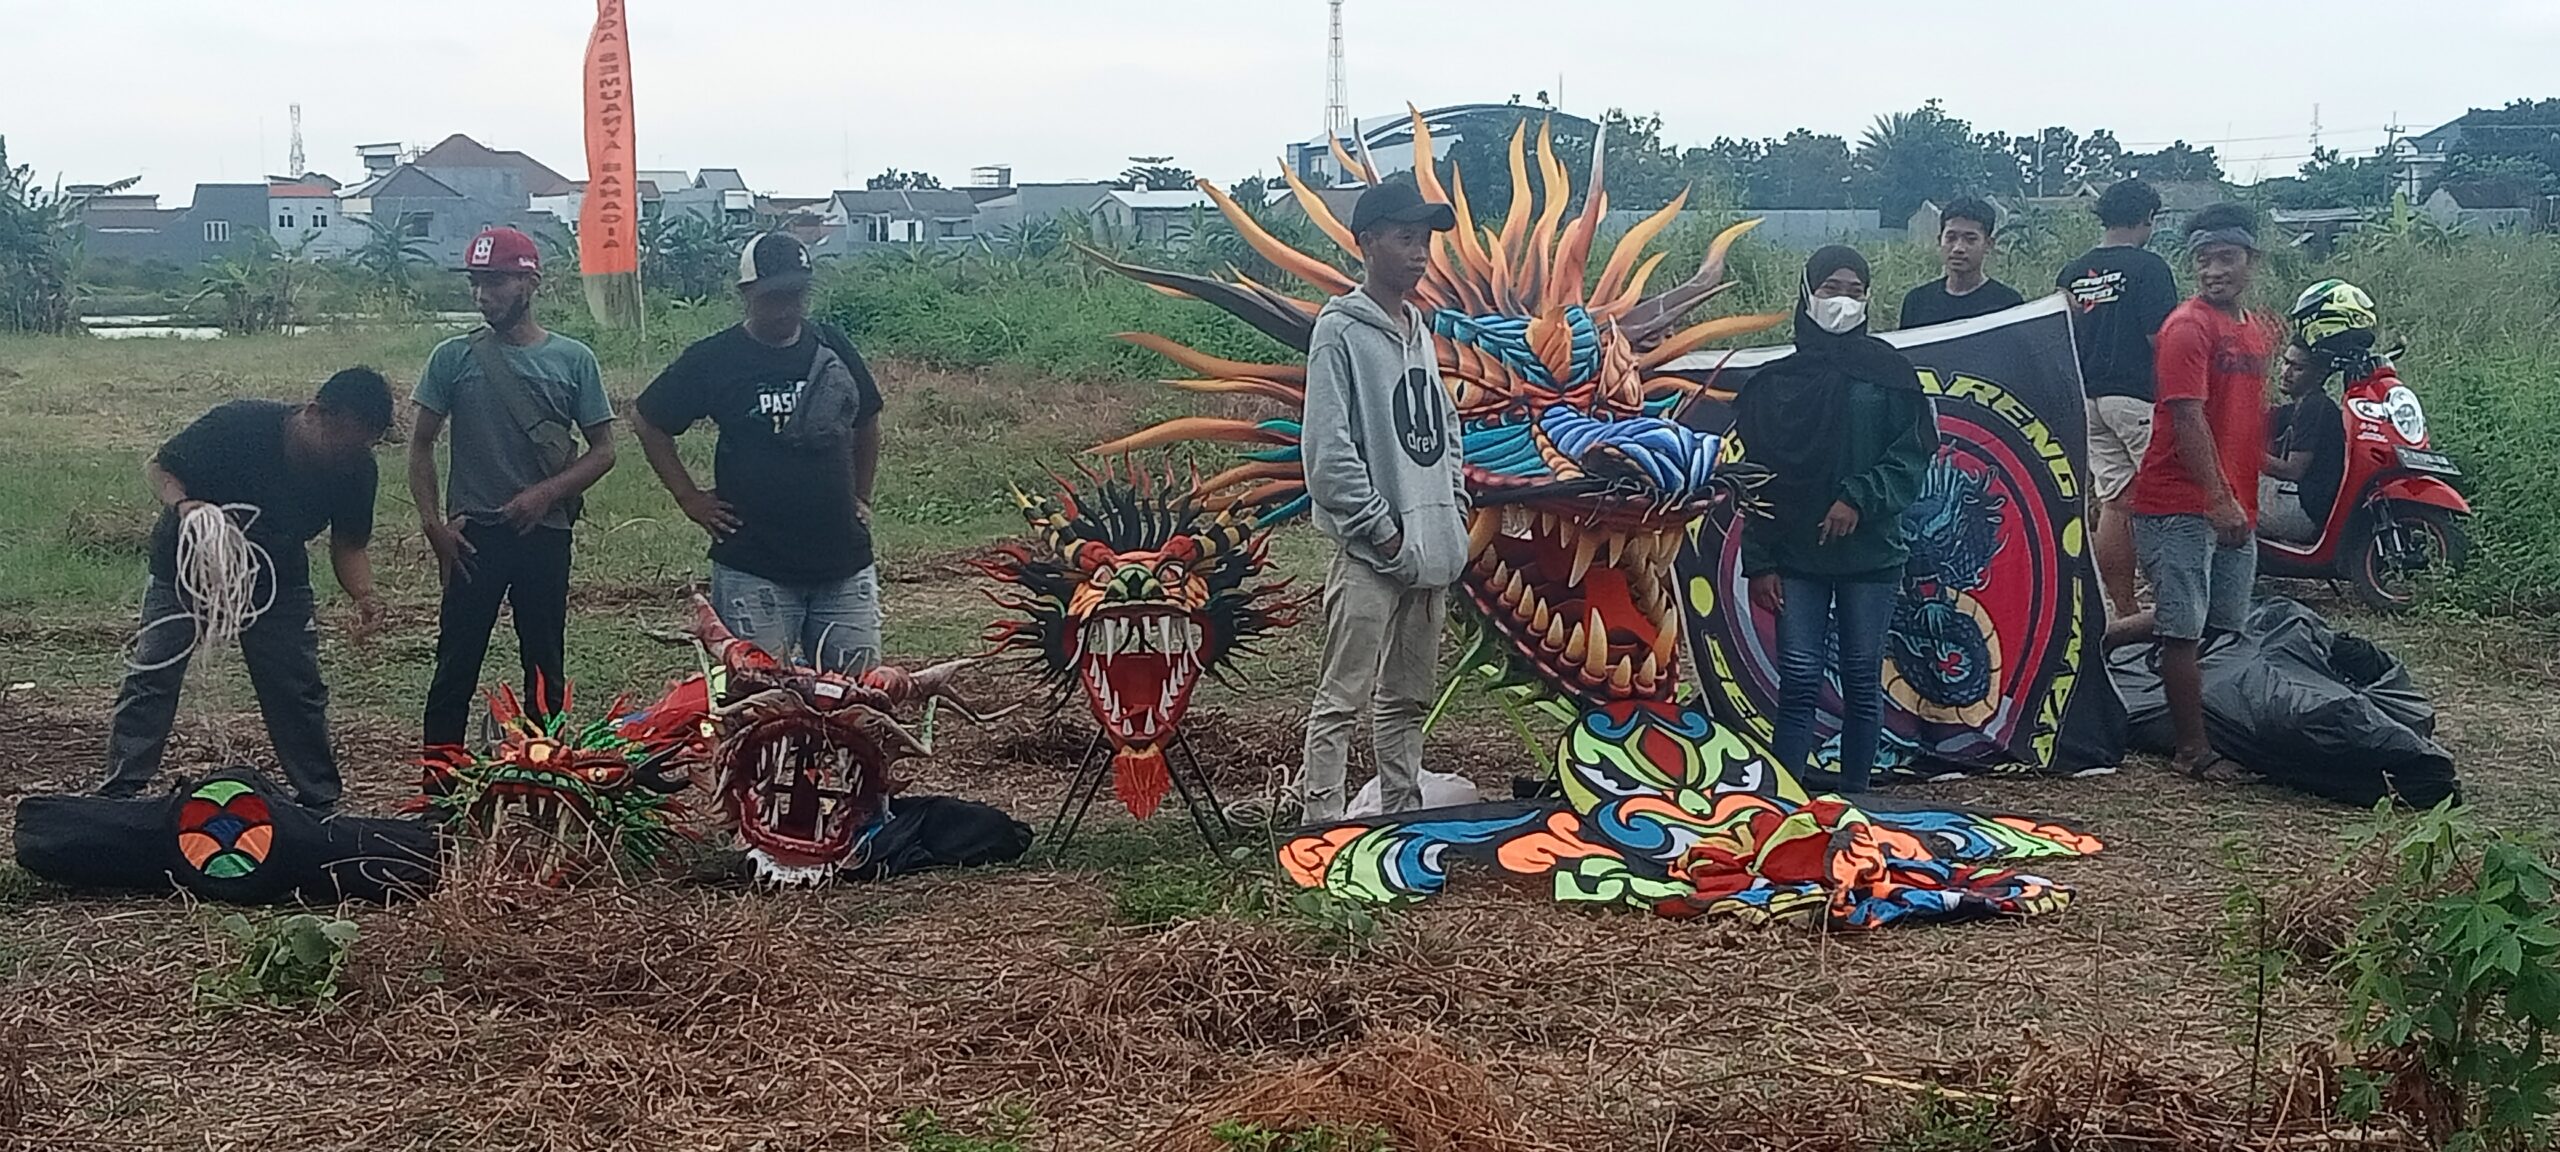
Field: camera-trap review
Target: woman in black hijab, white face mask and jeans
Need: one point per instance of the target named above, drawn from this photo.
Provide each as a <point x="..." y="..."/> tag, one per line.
<point x="1847" y="436"/>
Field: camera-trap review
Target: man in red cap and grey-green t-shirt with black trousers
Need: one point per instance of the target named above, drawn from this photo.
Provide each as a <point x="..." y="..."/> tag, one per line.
<point x="513" y="393"/>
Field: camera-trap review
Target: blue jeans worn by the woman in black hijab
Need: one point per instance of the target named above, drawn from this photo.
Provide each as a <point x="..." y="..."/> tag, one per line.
<point x="1804" y="634"/>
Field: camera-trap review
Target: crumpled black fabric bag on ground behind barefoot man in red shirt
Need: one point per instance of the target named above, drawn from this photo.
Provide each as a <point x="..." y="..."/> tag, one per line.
<point x="2308" y="708"/>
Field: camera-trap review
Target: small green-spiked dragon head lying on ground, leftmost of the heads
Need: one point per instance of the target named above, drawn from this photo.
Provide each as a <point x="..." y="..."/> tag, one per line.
<point x="588" y="792"/>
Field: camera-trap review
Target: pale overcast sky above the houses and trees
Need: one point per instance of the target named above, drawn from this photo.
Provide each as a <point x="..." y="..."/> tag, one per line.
<point x="808" y="96"/>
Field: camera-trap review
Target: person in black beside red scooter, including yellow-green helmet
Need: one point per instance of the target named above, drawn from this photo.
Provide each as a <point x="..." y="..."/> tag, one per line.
<point x="2308" y="457"/>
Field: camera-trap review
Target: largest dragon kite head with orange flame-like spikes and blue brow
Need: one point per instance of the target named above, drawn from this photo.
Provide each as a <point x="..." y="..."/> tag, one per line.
<point x="1583" y="488"/>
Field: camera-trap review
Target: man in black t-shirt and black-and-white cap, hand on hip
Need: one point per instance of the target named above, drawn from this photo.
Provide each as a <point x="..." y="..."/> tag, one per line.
<point x="800" y="444"/>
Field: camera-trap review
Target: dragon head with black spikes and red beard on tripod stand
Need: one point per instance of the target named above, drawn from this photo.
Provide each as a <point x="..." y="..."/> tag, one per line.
<point x="1135" y="593"/>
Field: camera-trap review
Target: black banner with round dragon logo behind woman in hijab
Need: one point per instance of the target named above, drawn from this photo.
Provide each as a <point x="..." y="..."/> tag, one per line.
<point x="1996" y="657"/>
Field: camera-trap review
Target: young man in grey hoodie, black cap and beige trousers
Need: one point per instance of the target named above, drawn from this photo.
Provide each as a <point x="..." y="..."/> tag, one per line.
<point x="1384" y="472"/>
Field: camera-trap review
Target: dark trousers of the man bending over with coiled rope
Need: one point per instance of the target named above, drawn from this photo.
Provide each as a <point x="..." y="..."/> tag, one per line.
<point x="283" y="657"/>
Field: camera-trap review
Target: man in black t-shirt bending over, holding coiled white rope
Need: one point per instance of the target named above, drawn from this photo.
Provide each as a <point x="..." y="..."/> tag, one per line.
<point x="298" y="470"/>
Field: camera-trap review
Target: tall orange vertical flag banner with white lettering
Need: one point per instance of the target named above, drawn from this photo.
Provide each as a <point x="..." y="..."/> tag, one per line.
<point x="611" y="211"/>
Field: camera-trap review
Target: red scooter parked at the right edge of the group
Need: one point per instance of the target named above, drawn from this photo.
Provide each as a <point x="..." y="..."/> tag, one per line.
<point x="2395" y="518"/>
